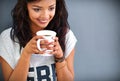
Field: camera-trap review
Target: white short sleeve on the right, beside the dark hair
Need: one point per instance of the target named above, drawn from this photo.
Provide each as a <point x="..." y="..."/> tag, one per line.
<point x="70" y="42"/>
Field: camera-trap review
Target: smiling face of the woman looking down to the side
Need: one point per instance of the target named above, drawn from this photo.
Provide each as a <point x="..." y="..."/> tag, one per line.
<point x="41" y="13"/>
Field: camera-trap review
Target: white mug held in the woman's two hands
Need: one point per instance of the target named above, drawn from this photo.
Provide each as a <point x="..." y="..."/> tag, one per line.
<point x="47" y="35"/>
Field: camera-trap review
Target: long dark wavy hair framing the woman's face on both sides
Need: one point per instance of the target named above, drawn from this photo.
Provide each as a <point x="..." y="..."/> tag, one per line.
<point x="21" y="22"/>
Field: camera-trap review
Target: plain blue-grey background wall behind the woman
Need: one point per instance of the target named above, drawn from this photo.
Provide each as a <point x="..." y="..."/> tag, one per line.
<point x="96" y="24"/>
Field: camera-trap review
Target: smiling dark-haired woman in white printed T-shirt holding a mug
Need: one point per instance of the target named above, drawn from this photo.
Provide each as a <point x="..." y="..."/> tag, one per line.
<point x="20" y="58"/>
